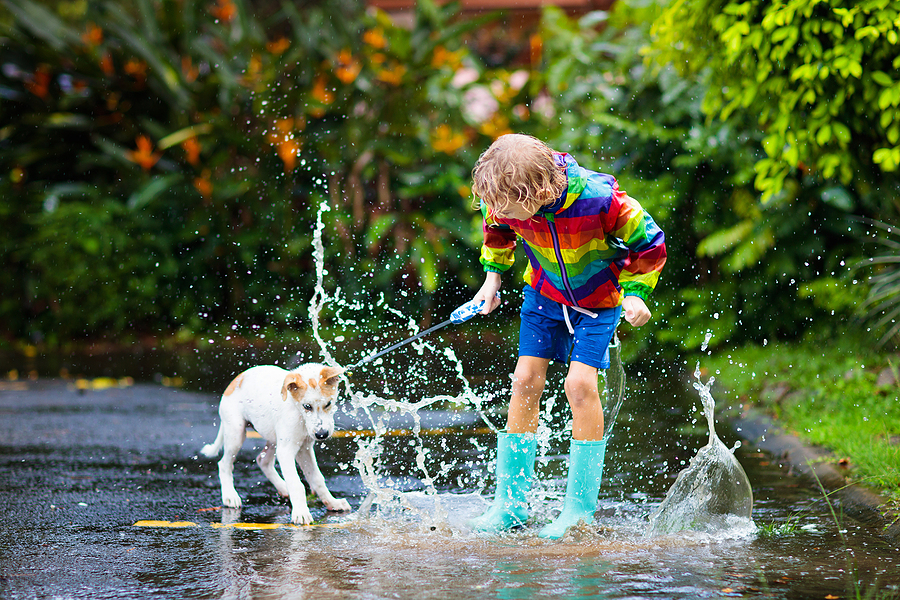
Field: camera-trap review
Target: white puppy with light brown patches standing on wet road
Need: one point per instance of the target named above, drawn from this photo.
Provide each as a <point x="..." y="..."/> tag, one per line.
<point x="291" y="410"/>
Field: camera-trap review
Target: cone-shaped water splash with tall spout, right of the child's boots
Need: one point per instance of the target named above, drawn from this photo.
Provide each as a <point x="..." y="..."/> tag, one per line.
<point x="713" y="494"/>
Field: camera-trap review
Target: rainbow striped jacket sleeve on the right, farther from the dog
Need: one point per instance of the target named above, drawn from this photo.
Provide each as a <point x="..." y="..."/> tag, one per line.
<point x="645" y="241"/>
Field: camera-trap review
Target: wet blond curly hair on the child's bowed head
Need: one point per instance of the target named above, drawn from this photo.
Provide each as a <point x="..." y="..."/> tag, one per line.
<point x="519" y="170"/>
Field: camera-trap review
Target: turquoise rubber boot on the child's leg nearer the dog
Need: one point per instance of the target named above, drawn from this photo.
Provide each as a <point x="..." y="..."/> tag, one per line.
<point x="515" y="470"/>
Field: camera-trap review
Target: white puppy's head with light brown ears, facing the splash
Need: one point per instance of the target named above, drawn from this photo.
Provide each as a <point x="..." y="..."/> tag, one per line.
<point x="314" y="388"/>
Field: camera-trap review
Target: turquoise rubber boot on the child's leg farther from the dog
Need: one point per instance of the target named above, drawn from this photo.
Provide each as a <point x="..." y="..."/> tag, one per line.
<point x="582" y="485"/>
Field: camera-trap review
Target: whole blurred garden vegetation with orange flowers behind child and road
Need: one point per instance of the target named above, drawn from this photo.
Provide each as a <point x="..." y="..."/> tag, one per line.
<point x="162" y="162"/>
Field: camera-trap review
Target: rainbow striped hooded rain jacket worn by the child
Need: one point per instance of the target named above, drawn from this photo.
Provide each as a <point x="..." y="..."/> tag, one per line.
<point x="590" y="248"/>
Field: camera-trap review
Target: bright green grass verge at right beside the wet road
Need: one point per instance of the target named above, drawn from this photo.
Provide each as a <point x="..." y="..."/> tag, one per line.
<point x="824" y="390"/>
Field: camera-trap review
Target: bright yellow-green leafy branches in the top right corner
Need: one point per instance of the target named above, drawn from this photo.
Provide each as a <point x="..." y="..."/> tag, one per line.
<point x="819" y="76"/>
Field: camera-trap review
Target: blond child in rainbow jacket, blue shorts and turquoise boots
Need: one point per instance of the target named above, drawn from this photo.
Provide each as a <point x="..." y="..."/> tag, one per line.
<point x="592" y="252"/>
